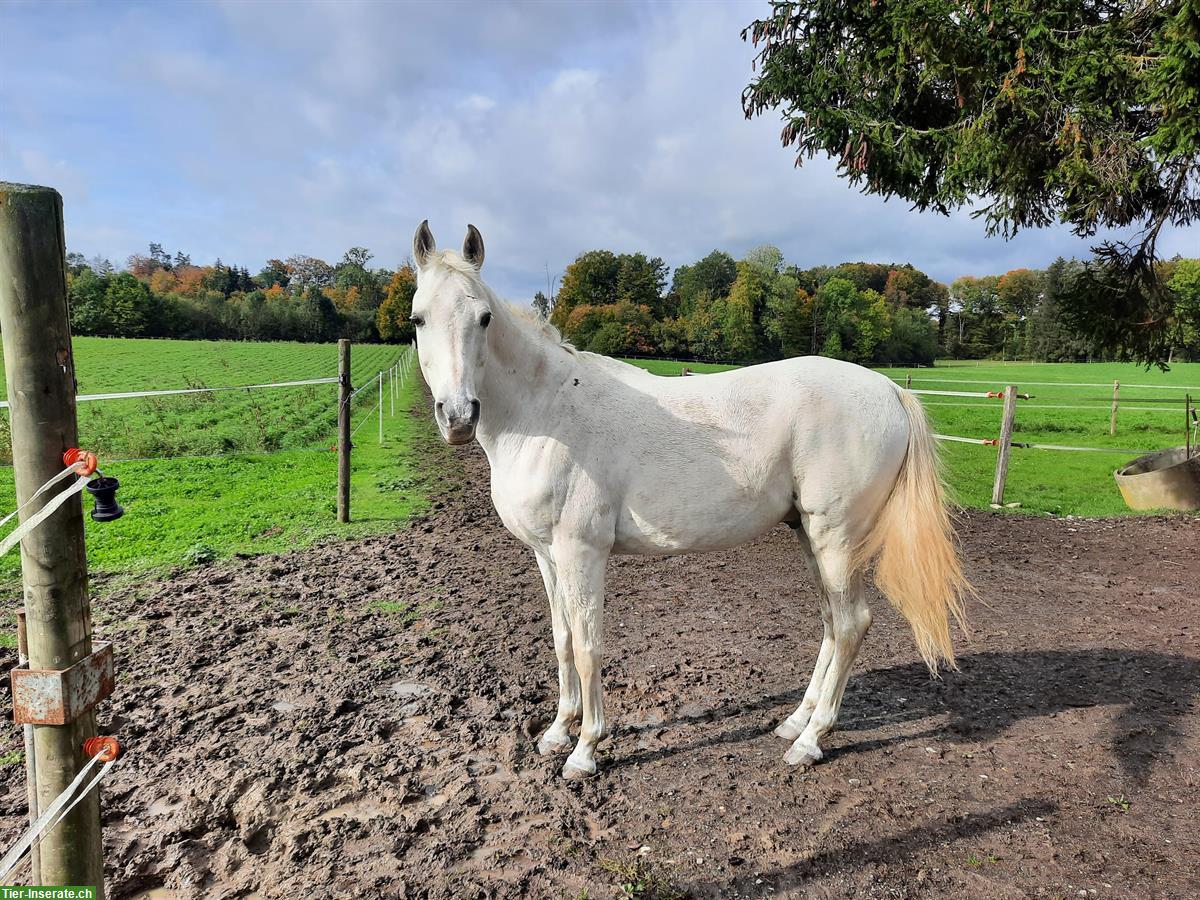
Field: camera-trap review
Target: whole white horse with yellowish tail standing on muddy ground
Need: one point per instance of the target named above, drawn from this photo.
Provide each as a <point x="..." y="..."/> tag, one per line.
<point x="591" y="457"/>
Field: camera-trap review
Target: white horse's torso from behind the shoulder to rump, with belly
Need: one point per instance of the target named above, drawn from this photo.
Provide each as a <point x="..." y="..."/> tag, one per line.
<point x="713" y="461"/>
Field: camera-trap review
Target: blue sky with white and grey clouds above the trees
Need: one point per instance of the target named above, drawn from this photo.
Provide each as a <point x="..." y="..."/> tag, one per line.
<point x="255" y="130"/>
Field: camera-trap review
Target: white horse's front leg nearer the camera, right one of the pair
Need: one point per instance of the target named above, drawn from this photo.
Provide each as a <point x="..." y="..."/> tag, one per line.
<point x="581" y="571"/>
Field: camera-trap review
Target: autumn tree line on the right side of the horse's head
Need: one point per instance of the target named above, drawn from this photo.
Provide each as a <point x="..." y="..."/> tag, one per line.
<point x="760" y="309"/>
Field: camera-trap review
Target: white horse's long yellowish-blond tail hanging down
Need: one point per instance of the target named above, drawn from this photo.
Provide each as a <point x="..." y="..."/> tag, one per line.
<point x="917" y="566"/>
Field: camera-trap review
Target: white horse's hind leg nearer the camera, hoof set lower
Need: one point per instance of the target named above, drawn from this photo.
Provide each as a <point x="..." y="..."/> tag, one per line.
<point x="851" y="619"/>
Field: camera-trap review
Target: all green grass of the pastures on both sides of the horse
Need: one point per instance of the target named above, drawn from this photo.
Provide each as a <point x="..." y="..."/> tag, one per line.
<point x="185" y="509"/>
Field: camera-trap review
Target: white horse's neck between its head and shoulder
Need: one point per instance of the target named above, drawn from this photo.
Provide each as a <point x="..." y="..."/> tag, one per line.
<point x="521" y="381"/>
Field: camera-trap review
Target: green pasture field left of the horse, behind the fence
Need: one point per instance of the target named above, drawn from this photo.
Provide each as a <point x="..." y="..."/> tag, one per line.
<point x="274" y="488"/>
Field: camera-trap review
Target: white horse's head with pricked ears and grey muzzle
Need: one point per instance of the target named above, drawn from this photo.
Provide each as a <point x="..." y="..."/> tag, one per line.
<point x="452" y="311"/>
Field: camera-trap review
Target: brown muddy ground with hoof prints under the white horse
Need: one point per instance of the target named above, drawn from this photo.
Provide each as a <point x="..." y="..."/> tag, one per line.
<point x="357" y="721"/>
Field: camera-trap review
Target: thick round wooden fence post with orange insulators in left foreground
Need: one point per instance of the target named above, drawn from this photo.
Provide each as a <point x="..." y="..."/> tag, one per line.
<point x="40" y="373"/>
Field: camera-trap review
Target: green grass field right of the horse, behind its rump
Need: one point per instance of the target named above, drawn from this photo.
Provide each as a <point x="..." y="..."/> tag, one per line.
<point x="1046" y="482"/>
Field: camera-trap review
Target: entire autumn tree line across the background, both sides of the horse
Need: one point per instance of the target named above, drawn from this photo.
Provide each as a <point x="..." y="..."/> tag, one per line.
<point x="718" y="309"/>
